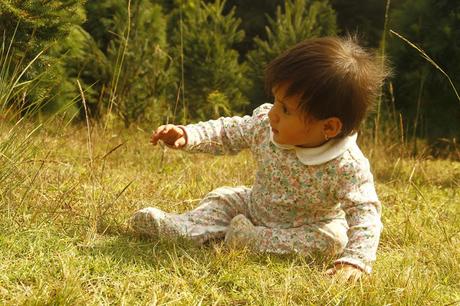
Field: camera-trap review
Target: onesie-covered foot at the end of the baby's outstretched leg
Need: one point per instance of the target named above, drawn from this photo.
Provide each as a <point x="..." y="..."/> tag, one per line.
<point x="154" y="222"/>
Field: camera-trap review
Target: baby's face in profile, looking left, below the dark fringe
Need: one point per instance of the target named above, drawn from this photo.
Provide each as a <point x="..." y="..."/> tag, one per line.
<point x="288" y="122"/>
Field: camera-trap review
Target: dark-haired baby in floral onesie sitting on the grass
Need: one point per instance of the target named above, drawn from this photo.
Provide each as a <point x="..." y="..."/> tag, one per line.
<point x="313" y="191"/>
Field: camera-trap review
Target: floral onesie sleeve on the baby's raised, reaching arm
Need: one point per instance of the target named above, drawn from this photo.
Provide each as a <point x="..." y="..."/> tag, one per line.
<point x="225" y="135"/>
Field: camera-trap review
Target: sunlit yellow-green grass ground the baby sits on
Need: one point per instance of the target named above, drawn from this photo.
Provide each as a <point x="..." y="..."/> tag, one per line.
<point x="64" y="241"/>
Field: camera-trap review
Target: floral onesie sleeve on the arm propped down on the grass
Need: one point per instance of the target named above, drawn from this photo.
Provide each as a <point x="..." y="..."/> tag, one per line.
<point x="358" y="198"/>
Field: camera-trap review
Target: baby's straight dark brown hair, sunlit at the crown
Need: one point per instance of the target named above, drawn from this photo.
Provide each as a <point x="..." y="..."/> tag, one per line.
<point x="334" y="76"/>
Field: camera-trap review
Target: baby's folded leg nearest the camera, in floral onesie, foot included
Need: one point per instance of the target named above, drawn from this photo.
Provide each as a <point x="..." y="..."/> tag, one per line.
<point x="323" y="238"/>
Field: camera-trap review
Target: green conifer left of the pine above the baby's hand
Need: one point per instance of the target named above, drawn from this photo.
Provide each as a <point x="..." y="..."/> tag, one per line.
<point x="140" y="62"/>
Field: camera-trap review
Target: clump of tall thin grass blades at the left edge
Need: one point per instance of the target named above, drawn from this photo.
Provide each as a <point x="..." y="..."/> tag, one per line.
<point x="16" y="134"/>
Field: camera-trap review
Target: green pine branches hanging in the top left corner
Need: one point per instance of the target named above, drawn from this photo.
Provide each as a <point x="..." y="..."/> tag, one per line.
<point x="42" y="26"/>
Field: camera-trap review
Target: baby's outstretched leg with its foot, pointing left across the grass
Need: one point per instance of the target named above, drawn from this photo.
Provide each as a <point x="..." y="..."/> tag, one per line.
<point x="208" y="221"/>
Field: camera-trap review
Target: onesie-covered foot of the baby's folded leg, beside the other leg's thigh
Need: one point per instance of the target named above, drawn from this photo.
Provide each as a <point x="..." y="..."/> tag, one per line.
<point x="241" y="233"/>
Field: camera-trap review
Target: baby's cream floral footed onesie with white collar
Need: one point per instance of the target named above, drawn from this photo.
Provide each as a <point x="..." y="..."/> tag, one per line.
<point x="304" y="200"/>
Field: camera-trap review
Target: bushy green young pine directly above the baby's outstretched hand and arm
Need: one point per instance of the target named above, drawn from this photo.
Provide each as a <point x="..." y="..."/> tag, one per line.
<point x="205" y="40"/>
